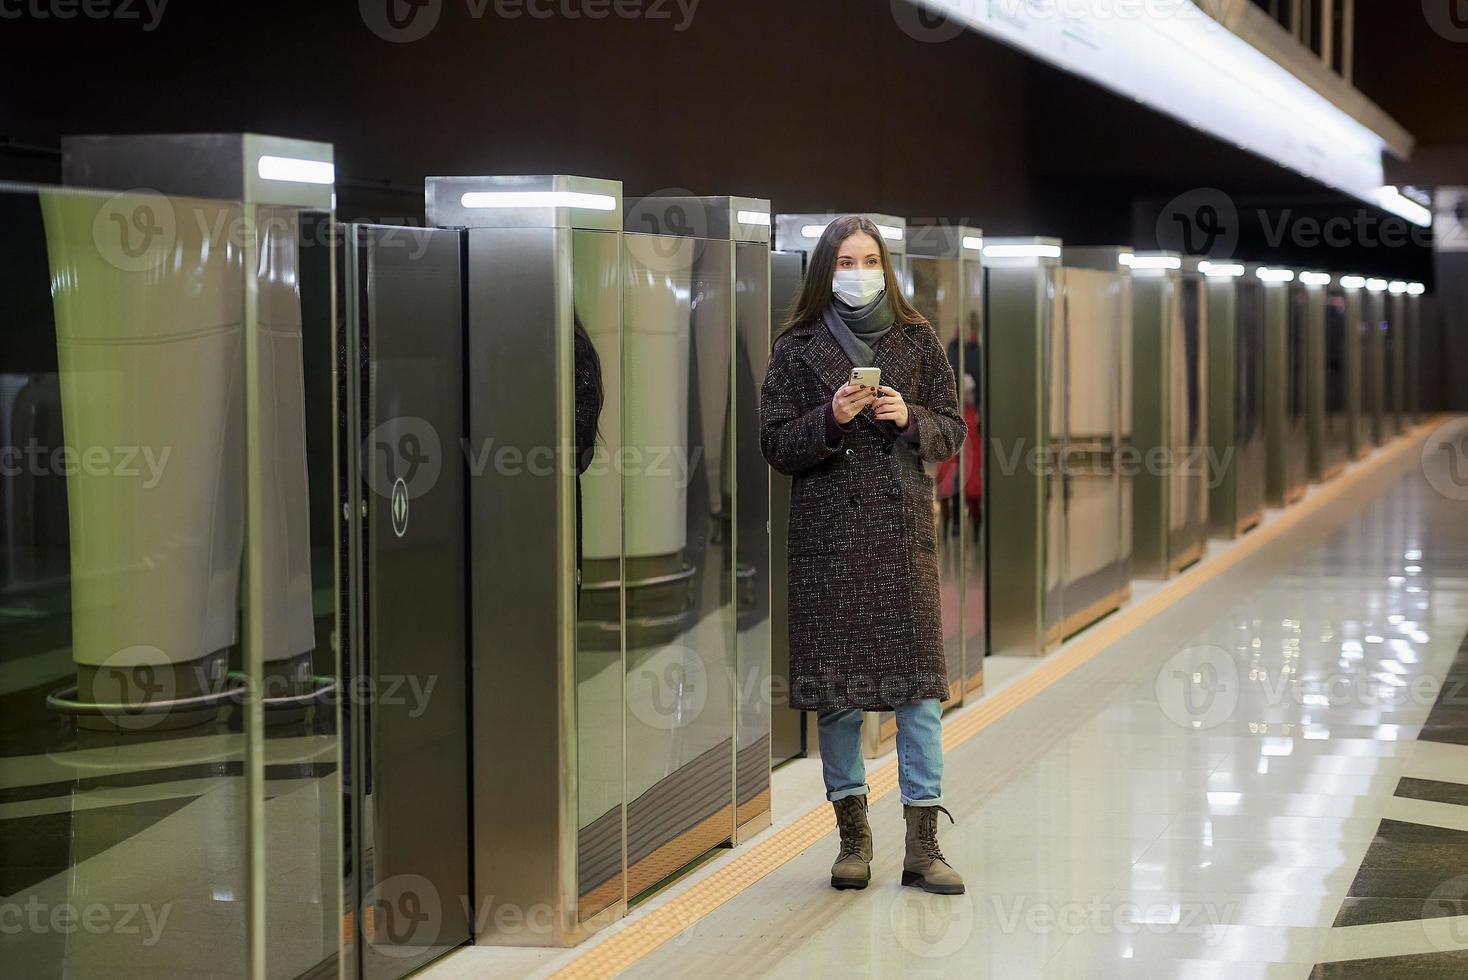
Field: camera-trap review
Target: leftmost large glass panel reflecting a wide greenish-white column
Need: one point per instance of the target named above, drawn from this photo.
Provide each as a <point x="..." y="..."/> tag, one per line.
<point x="121" y="577"/>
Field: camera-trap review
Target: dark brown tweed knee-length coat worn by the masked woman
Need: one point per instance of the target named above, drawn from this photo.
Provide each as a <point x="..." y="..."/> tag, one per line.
<point x="865" y="627"/>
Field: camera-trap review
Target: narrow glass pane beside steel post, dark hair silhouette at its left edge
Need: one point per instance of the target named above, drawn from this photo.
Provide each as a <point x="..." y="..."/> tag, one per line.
<point x="598" y="412"/>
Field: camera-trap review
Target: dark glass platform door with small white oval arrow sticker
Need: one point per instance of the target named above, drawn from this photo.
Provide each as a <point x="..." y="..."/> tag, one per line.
<point x="406" y="648"/>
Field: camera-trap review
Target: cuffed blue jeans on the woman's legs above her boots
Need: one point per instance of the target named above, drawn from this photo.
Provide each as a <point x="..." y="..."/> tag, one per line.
<point x="920" y="753"/>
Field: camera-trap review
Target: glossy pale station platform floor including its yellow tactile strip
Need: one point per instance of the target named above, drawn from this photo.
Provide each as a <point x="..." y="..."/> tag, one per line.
<point x="1254" y="771"/>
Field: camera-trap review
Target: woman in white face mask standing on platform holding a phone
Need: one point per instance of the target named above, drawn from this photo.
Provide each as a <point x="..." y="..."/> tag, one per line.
<point x="865" y="627"/>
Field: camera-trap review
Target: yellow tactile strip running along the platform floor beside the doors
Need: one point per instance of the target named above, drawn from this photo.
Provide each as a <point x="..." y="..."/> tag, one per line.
<point x="639" y="937"/>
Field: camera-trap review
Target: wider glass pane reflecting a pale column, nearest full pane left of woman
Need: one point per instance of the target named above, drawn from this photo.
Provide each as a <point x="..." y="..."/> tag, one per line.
<point x="679" y="567"/>
